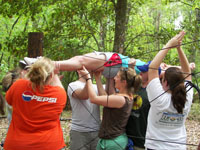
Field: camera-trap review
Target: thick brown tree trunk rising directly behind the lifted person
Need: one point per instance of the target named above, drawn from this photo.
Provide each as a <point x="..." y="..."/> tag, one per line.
<point x="120" y="26"/>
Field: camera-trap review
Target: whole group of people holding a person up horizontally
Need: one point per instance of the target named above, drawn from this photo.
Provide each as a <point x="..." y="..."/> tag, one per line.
<point x="143" y="107"/>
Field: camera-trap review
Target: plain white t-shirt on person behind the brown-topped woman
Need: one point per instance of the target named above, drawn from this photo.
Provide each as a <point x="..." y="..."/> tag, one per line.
<point x="85" y="115"/>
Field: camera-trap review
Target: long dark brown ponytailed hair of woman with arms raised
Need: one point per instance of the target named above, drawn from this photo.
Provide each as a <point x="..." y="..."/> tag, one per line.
<point x="175" y="81"/>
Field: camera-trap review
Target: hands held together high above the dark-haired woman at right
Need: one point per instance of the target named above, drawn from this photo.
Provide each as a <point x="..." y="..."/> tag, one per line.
<point x="176" y="40"/>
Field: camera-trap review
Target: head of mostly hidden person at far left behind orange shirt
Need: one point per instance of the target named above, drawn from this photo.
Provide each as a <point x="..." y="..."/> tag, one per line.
<point x="10" y="78"/>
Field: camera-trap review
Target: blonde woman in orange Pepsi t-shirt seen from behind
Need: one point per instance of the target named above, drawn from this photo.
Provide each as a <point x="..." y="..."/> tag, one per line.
<point x="37" y="104"/>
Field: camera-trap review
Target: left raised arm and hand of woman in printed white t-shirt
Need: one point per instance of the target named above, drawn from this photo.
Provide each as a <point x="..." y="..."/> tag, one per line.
<point x="153" y="67"/>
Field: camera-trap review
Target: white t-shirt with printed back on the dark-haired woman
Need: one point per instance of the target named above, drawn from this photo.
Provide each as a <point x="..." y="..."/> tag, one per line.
<point x="166" y="127"/>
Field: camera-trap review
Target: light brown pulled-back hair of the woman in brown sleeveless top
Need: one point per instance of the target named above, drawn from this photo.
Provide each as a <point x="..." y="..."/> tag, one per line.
<point x="133" y="80"/>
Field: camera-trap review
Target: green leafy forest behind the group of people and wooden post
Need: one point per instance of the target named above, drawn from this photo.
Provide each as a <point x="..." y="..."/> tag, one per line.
<point x="136" y="28"/>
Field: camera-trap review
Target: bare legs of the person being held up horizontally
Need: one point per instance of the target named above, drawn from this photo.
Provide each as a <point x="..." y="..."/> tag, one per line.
<point x="91" y="61"/>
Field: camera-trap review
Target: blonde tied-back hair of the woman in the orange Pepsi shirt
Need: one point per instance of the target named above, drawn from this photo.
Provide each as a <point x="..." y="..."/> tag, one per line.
<point x="40" y="72"/>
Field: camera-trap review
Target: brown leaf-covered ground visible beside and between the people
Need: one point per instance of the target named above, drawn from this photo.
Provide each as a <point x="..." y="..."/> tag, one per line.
<point x="192" y="127"/>
